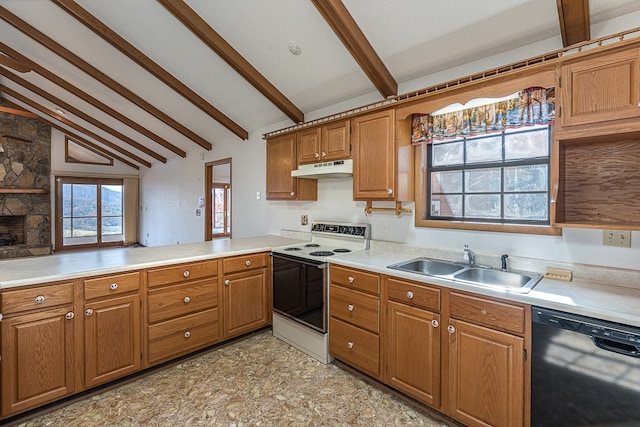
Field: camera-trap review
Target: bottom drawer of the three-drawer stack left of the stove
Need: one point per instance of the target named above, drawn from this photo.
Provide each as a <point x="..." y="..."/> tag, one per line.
<point x="183" y="335"/>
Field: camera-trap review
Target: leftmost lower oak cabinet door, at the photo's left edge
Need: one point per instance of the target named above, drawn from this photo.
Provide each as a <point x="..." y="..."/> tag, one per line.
<point x="37" y="359"/>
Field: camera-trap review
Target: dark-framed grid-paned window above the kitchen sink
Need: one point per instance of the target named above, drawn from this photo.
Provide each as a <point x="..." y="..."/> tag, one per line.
<point x="497" y="181"/>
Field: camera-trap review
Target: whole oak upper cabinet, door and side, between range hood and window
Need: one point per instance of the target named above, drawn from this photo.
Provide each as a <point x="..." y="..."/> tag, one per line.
<point x="383" y="157"/>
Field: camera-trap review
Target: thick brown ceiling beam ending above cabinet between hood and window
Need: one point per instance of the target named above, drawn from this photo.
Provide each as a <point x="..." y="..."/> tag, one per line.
<point x="346" y="28"/>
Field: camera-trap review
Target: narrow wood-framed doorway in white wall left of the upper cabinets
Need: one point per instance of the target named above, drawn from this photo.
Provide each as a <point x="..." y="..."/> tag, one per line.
<point x="218" y="199"/>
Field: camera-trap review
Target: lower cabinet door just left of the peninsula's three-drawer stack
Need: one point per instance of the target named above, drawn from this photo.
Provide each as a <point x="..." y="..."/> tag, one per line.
<point x="111" y="339"/>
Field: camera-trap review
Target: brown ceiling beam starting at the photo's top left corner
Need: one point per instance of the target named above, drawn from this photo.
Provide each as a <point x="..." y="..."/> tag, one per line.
<point x="99" y="76"/>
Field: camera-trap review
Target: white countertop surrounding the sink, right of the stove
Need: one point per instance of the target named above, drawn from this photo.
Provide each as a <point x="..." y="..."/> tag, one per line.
<point x="599" y="300"/>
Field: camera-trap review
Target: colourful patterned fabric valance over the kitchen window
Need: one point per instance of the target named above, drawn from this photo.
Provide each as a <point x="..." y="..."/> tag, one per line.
<point x="531" y="106"/>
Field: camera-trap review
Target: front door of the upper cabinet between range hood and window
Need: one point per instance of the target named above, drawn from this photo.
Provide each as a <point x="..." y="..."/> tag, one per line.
<point x="374" y="163"/>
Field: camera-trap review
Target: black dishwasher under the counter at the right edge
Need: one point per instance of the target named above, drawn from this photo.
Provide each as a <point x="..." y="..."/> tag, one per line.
<point x="584" y="371"/>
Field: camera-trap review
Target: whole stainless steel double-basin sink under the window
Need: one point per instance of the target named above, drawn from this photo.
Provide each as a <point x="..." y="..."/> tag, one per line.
<point x="486" y="277"/>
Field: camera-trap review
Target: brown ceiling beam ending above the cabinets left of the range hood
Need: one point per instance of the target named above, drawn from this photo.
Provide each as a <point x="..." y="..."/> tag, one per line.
<point x="223" y="49"/>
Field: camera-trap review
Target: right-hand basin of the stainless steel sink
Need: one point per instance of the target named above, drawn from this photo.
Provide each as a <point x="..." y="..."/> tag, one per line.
<point x="508" y="280"/>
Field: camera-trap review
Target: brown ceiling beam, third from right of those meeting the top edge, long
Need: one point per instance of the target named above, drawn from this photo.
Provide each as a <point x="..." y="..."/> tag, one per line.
<point x="126" y="48"/>
